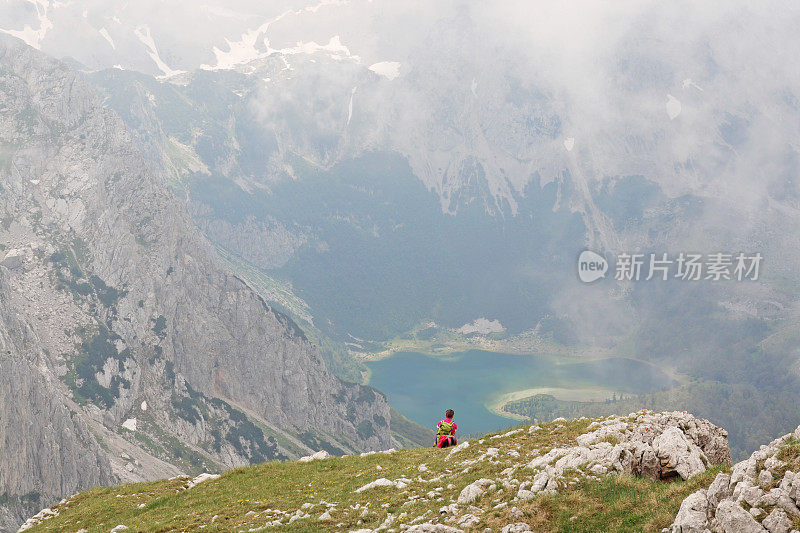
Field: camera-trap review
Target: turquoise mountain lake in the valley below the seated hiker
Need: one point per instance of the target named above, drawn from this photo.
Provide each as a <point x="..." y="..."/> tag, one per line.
<point x="422" y="387"/>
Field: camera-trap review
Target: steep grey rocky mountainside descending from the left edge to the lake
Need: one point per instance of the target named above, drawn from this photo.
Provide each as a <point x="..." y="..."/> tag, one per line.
<point x="127" y="352"/>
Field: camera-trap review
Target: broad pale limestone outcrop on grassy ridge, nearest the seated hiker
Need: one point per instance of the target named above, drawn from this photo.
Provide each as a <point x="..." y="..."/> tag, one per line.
<point x="662" y="446"/>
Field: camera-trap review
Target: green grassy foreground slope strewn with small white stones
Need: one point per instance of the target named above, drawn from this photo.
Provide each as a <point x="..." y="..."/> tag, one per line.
<point x="323" y="494"/>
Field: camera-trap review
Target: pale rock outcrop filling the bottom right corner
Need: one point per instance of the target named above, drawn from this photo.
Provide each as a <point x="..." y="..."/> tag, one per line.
<point x="761" y="494"/>
